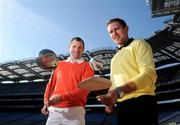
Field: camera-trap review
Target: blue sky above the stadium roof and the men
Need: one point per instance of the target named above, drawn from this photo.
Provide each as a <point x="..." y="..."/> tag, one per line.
<point x="28" y="26"/>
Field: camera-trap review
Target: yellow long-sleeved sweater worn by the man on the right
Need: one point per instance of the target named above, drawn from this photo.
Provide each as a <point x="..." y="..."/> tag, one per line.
<point x="134" y="63"/>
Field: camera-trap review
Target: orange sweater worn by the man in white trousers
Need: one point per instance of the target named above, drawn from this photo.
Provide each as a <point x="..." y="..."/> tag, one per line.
<point x="64" y="82"/>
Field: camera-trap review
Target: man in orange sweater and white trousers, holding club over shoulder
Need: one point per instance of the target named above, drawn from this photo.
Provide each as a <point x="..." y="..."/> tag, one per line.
<point x="63" y="101"/>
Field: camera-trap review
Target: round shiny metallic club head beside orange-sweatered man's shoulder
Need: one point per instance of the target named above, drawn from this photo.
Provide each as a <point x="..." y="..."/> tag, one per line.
<point x="47" y="59"/>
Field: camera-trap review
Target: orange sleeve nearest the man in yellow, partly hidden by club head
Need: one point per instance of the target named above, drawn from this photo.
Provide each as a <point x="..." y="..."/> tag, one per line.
<point x="79" y="93"/>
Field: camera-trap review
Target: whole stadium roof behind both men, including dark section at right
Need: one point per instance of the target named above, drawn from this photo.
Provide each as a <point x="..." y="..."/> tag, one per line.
<point x="165" y="44"/>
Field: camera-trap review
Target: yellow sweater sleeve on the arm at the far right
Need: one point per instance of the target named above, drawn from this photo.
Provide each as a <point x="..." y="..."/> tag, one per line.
<point x="144" y="59"/>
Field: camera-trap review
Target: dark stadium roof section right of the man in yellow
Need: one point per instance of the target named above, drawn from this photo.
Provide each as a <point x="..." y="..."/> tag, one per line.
<point x="166" y="44"/>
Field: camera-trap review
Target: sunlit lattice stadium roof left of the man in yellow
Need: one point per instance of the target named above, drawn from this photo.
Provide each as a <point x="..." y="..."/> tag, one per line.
<point x="28" y="70"/>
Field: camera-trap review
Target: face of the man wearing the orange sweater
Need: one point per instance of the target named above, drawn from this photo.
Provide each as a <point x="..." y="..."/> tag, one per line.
<point x="76" y="49"/>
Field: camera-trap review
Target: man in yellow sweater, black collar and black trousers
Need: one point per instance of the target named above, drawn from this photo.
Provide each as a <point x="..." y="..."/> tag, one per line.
<point x="133" y="78"/>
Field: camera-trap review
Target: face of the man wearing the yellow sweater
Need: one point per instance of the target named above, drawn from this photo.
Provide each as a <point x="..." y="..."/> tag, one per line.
<point x="117" y="33"/>
